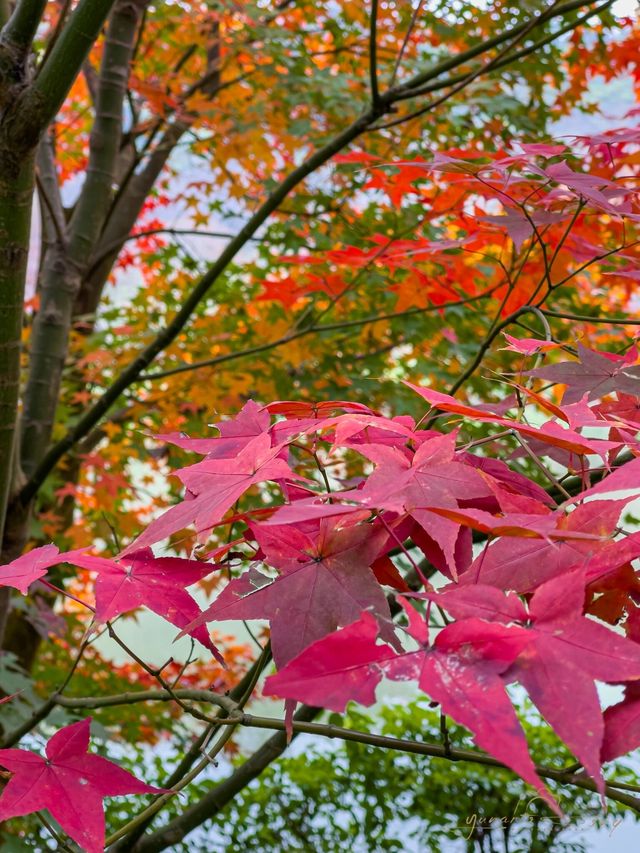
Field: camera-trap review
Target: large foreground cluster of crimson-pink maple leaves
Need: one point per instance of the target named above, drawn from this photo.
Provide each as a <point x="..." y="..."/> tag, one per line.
<point x="378" y="576"/>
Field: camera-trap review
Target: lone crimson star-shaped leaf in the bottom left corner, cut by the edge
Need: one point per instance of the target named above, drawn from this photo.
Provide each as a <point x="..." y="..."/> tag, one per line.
<point x="71" y="783"/>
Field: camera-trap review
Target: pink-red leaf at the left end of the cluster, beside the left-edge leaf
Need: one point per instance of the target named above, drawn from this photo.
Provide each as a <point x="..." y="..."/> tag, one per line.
<point x="141" y="579"/>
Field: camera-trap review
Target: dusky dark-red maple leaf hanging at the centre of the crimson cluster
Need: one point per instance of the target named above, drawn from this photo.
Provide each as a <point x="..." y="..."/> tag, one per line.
<point x="325" y="581"/>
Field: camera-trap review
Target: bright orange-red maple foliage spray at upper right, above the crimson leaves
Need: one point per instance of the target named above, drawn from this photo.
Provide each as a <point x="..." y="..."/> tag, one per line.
<point x="535" y="216"/>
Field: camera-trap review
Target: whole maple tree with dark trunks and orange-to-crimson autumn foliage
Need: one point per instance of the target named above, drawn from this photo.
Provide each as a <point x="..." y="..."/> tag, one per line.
<point x="376" y="227"/>
